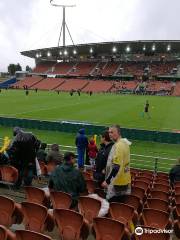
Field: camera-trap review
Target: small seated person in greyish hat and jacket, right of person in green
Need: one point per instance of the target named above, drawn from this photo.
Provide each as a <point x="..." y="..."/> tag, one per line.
<point x="54" y="155"/>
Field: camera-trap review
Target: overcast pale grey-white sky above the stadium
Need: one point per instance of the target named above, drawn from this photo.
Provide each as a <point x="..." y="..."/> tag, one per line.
<point x="32" y="24"/>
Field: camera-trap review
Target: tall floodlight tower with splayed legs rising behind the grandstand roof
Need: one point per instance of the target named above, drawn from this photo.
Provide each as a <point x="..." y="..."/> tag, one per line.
<point x="64" y="25"/>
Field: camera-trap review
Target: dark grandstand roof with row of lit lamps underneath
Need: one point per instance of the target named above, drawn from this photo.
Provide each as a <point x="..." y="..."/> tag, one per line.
<point x="105" y="49"/>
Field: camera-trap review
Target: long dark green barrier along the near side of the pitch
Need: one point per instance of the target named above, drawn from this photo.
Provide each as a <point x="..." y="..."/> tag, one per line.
<point x="73" y="127"/>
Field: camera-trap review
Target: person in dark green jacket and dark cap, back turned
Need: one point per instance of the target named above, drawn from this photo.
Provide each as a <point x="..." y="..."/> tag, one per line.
<point x="68" y="179"/>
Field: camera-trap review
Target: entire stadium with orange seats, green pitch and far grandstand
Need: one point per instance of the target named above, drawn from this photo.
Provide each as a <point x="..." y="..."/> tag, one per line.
<point x="94" y="86"/>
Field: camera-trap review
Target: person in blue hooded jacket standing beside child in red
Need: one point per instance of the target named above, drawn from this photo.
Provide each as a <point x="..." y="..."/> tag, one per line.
<point x="81" y="144"/>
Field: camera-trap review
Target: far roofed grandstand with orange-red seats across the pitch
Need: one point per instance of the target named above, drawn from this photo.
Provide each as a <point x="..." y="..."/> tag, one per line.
<point x="118" y="67"/>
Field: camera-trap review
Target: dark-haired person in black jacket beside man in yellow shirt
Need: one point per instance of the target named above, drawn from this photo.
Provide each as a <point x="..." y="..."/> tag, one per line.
<point x="102" y="157"/>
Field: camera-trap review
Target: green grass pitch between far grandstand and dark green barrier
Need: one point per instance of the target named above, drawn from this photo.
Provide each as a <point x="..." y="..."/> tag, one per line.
<point x="125" y="110"/>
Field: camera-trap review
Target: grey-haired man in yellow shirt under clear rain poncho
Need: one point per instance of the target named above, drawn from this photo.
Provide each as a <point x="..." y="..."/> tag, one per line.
<point x="118" y="177"/>
